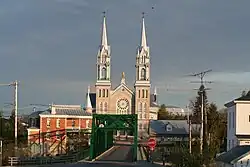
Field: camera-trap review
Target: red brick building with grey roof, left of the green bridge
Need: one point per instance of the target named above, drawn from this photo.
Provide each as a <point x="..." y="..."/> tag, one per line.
<point x="49" y="130"/>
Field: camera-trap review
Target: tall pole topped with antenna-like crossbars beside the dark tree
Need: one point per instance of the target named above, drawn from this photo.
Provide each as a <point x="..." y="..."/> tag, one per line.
<point x="203" y="113"/>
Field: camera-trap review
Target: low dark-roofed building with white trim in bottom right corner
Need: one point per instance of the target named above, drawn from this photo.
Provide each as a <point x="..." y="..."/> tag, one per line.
<point x="238" y="156"/>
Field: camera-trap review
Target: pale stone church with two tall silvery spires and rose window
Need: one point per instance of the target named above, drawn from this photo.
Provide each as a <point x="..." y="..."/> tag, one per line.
<point x="121" y="99"/>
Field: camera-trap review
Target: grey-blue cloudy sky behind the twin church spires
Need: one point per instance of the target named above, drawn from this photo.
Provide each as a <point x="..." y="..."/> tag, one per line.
<point x="50" y="47"/>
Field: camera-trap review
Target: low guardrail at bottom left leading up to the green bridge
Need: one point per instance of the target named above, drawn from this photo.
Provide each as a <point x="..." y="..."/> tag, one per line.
<point x="67" y="158"/>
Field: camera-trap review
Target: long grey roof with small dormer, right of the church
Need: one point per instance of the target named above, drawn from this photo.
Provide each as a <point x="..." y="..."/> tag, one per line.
<point x="179" y="127"/>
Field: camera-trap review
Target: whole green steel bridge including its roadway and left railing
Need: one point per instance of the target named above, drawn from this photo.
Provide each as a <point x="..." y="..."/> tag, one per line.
<point x="106" y="149"/>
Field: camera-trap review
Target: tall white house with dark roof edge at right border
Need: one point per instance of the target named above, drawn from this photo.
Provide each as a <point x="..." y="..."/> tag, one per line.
<point x="238" y="118"/>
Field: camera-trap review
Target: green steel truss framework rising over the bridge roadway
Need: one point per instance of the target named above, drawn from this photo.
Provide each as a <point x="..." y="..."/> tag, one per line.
<point x="104" y="126"/>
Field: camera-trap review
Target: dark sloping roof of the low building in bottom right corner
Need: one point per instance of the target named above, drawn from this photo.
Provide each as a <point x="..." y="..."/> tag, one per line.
<point x="234" y="154"/>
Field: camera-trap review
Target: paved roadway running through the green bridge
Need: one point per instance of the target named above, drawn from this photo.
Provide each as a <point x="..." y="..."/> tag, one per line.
<point x="122" y="153"/>
